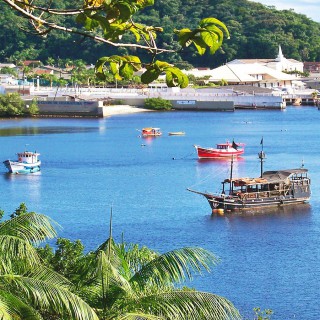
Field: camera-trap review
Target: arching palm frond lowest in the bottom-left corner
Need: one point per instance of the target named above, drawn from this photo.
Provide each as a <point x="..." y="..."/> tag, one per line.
<point x="49" y="296"/>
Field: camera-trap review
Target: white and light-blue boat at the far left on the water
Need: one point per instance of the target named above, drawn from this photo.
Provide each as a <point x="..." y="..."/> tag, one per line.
<point x="27" y="162"/>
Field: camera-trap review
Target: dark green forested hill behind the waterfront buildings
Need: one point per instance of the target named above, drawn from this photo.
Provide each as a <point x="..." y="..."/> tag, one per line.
<point x="256" y="31"/>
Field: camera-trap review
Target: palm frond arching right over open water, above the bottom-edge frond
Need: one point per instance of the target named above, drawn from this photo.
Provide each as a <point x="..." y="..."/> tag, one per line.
<point x="175" y="266"/>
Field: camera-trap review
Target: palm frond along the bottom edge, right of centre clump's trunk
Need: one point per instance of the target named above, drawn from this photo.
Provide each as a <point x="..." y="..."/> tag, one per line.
<point x="191" y="305"/>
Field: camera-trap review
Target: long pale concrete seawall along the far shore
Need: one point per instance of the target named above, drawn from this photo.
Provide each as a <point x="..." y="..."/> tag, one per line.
<point x="93" y="104"/>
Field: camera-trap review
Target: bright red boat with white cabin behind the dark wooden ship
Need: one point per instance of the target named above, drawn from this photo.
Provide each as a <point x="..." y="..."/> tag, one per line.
<point x="223" y="150"/>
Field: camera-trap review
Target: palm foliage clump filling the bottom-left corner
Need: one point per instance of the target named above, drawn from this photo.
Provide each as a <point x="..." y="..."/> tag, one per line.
<point x="29" y="289"/>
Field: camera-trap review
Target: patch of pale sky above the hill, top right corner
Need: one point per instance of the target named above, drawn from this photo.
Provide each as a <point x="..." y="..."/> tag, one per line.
<point x="311" y="8"/>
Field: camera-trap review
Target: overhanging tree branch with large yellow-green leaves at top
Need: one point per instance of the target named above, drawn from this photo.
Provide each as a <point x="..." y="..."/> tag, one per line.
<point x="109" y="21"/>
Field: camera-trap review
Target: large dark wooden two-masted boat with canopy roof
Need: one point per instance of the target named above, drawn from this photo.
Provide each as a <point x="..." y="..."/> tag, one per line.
<point x="271" y="189"/>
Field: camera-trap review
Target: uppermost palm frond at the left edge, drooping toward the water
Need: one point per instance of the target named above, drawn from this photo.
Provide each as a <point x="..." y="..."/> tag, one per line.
<point x="31" y="227"/>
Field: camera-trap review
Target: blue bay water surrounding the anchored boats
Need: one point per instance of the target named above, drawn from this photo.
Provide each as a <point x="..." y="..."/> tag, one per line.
<point x="270" y="260"/>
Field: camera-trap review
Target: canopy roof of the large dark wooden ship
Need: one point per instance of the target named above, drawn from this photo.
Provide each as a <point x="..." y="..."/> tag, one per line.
<point x="267" y="177"/>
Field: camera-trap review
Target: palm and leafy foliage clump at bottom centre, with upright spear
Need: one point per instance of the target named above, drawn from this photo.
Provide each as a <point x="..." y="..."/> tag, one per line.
<point x="126" y="281"/>
